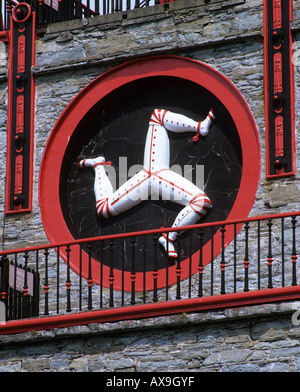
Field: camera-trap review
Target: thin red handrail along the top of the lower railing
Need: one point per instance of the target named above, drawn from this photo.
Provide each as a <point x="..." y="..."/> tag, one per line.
<point x="81" y="241"/>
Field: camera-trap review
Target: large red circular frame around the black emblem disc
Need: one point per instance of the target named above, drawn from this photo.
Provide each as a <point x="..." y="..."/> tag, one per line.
<point x="192" y="70"/>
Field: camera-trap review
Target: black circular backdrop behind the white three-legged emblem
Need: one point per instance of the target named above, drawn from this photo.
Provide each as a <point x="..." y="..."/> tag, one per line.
<point x="116" y="127"/>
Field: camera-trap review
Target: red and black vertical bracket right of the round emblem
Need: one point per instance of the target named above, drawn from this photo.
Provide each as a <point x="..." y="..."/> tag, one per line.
<point x="279" y="89"/>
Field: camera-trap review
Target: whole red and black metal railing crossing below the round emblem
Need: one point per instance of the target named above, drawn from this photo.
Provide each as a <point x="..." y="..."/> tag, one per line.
<point x="219" y="265"/>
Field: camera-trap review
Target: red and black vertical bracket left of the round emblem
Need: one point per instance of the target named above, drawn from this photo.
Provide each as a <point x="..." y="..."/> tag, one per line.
<point x="20" y="114"/>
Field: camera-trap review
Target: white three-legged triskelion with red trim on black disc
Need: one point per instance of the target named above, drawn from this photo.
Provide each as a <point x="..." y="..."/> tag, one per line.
<point x="156" y="176"/>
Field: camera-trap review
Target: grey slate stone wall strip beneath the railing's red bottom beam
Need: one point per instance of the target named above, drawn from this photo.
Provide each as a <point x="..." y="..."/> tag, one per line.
<point x="256" y="339"/>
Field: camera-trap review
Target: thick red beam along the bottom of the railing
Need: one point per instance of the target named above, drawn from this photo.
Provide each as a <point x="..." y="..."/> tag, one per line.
<point x="153" y="310"/>
